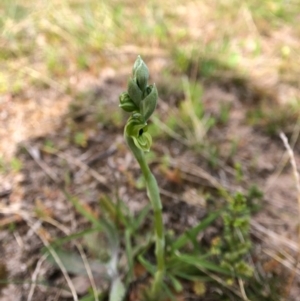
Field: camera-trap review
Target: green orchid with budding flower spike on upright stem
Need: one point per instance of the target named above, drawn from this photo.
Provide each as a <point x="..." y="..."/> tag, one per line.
<point x="140" y="100"/>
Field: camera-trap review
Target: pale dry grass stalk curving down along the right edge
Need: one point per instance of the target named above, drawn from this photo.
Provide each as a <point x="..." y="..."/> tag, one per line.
<point x="297" y="180"/>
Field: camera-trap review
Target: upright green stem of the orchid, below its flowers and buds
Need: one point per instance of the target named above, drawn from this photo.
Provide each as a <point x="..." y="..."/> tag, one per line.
<point x="154" y="196"/>
